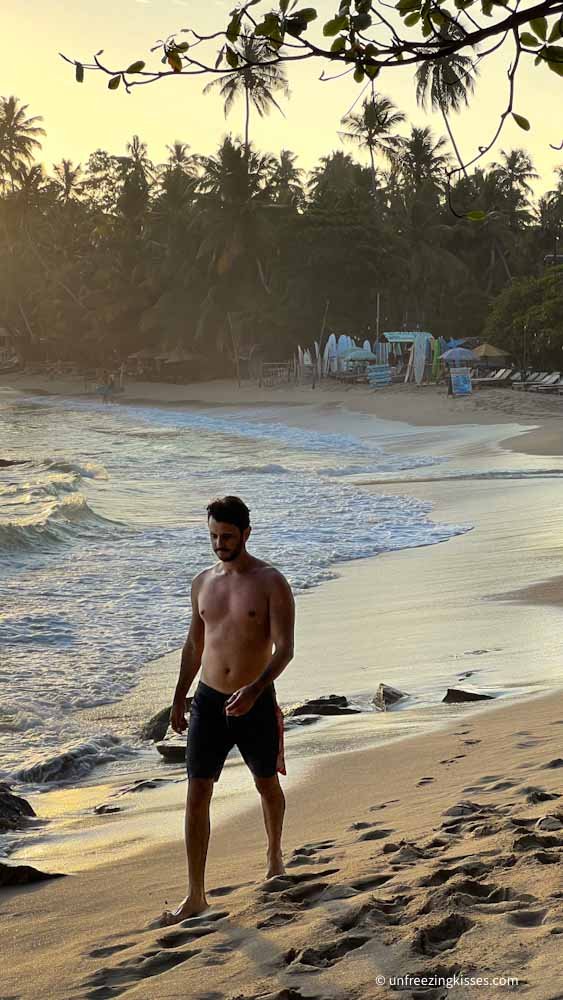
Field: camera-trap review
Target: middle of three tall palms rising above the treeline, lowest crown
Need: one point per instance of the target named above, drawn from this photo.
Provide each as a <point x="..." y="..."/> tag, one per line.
<point x="373" y="127"/>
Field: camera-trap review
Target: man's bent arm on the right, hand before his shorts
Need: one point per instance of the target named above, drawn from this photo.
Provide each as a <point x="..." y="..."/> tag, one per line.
<point x="282" y="627"/>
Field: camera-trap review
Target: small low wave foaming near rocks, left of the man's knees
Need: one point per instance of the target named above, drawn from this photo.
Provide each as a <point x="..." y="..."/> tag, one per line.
<point x="73" y="760"/>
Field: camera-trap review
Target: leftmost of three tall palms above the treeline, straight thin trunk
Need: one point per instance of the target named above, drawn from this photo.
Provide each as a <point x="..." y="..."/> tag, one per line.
<point x="255" y="83"/>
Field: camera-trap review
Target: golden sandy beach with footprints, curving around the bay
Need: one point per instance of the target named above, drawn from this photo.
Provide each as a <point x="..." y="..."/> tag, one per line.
<point x="435" y="854"/>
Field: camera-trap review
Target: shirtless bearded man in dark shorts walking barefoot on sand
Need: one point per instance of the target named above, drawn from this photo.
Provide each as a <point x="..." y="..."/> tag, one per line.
<point x="241" y="608"/>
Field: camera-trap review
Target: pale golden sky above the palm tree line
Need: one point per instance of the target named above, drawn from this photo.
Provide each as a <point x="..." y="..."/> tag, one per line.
<point x="81" y="118"/>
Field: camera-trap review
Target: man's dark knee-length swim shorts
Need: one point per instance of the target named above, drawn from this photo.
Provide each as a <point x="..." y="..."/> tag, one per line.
<point x="212" y="734"/>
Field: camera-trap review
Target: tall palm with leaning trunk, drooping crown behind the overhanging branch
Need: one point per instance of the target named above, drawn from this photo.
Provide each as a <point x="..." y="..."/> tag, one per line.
<point x="448" y="84"/>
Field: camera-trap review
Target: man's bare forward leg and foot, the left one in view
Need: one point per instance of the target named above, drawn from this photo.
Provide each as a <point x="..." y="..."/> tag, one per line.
<point x="197" y="829"/>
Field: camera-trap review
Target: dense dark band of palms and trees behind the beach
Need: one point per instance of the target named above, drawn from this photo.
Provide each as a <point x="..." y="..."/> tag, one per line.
<point x="121" y="253"/>
